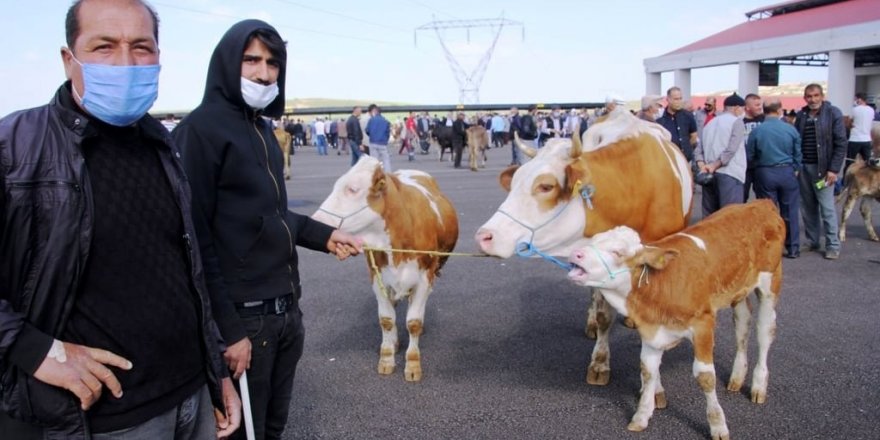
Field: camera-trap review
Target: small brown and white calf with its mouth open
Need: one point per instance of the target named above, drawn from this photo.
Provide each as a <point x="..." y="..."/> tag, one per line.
<point x="673" y="288"/>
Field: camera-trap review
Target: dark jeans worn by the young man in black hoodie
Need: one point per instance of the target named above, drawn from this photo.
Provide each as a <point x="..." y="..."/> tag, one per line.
<point x="277" y="344"/>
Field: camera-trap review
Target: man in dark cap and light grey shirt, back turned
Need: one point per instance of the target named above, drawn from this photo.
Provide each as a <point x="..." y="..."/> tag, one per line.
<point x="722" y="153"/>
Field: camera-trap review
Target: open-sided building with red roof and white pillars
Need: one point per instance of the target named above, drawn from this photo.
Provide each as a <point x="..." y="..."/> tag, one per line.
<point x="843" y="35"/>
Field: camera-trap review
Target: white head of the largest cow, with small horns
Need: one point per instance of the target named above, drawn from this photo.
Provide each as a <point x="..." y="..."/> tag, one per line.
<point x="543" y="207"/>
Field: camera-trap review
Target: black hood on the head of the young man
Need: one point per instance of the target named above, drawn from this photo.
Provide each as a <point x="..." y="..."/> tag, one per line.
<point x="224" y="71"/>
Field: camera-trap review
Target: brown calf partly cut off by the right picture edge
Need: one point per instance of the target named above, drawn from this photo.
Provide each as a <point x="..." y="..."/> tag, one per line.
<point x="862" y="182"/>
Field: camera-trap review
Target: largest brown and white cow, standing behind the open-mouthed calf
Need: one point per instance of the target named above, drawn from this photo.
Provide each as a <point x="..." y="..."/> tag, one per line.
<point x="634" y="176"/>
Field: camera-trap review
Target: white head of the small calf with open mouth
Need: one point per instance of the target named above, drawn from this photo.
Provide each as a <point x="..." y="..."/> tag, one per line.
<point x="602" y="260"/>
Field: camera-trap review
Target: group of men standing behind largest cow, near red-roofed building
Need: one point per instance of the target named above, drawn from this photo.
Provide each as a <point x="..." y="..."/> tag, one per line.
<point x="797" y="159"/>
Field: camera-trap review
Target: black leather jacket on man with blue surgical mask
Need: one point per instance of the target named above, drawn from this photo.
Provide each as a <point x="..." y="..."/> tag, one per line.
<point x="45" y="235"/>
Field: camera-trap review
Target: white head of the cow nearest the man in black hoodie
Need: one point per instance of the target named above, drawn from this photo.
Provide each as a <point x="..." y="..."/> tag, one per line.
<point x="355" y="203"/>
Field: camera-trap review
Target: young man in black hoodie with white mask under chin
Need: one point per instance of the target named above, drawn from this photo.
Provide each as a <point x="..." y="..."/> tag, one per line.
<point x="245" y="231"/>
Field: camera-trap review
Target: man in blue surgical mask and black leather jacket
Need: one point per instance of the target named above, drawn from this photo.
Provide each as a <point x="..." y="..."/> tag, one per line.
<point x="106" y="329"/>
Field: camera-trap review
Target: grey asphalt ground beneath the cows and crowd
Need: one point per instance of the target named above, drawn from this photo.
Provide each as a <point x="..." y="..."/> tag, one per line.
<point x="504" y="353"/>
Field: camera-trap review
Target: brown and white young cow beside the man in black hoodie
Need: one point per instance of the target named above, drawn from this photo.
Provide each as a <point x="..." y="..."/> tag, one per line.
<point x="400" y="210"/>
